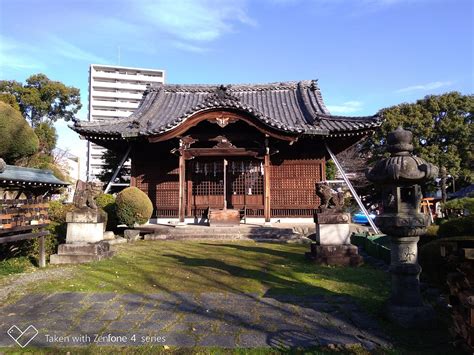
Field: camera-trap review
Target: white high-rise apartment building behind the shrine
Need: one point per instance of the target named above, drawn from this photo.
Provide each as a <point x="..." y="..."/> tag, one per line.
<point x="114" y="92"/>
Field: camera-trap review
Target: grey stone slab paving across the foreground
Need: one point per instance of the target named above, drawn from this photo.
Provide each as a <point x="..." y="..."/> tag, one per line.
<point x="187" y="320"/>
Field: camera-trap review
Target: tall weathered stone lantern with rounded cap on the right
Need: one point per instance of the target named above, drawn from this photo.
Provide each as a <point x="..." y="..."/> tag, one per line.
<point x="399" y="177"/>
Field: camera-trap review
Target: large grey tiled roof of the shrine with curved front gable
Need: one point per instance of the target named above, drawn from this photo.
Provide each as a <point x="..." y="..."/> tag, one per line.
<point x="293" y="107"/>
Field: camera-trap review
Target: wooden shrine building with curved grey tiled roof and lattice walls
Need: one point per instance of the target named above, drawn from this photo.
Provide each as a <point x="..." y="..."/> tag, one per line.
<point x="258" y="149"/>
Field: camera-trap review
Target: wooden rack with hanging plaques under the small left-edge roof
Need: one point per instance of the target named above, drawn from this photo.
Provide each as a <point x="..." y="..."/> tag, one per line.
<point x="24" y="219"/>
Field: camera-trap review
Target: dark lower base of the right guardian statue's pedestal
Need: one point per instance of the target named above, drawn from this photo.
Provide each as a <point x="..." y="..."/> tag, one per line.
<point x="335" y="255"/>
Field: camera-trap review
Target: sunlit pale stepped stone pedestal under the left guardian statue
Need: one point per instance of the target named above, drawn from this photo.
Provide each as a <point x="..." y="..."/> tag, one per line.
<point x="84" y="238"/>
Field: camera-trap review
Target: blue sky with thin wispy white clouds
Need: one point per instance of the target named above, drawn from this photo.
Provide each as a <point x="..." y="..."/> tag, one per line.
<point x="367" y="54"/>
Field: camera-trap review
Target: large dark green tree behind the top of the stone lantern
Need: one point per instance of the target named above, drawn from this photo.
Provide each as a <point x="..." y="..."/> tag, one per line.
<point x="442" y="130"/>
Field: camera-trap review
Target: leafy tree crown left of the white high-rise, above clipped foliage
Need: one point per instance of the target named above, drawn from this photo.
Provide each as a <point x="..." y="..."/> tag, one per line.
<point x="44" y="100"/>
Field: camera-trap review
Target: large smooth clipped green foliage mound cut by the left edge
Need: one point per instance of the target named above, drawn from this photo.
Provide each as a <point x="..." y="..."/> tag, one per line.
<point x="17" y="138"/>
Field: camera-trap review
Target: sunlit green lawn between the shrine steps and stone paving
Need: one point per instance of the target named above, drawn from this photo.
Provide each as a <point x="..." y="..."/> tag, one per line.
<point x="261" y="268"/>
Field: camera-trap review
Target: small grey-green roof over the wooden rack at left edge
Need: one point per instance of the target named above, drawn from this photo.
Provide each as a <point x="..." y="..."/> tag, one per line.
<point x="18" y="174"/>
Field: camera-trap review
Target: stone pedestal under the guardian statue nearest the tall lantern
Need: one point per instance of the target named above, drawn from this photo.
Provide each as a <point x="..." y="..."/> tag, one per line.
<point x="332" y="244"/>
